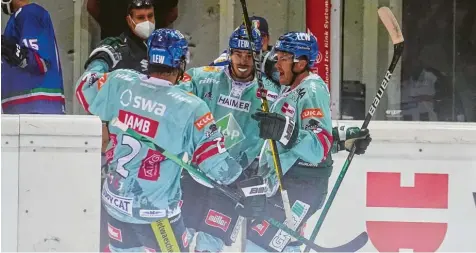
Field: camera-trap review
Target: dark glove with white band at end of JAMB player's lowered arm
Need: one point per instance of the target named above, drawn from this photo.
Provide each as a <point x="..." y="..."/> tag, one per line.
<point x="254" y="199"/>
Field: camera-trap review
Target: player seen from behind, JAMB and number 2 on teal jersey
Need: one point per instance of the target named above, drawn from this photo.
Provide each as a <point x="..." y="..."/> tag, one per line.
<point x="142" y="188"/>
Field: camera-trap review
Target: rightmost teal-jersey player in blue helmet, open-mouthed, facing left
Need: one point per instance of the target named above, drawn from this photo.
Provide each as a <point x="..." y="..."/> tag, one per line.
<point x="300" y="123"/>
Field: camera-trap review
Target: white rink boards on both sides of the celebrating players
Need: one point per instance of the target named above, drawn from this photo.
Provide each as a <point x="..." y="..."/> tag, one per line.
<point x="413" y="189"/>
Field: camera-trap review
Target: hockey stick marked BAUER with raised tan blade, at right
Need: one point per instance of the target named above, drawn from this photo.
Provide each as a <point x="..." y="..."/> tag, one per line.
<point x="390" y="22"/>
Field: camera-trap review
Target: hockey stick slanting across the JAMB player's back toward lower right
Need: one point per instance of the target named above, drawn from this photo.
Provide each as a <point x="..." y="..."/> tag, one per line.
<point x="236" y="197"/>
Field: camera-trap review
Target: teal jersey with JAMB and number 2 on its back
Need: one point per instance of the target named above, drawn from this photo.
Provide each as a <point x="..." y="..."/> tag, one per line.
<point x="143" y="185"/>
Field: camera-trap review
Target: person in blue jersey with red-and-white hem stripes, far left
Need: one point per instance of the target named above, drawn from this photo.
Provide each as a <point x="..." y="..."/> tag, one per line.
<point x="32" y="80"/>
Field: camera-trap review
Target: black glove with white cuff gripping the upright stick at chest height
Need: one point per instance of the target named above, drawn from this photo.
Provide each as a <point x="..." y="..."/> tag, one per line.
<point x="276" y="127"/>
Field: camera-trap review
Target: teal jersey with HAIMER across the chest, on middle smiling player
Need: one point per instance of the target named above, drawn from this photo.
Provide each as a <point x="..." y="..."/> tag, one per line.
<point x="232" y="103"/>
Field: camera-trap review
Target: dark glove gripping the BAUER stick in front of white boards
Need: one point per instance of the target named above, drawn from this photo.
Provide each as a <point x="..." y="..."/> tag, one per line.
<point x="347" y="136"/>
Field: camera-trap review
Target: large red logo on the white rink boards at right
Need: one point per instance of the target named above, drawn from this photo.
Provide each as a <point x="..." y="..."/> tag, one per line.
<point x="430" y="191"/>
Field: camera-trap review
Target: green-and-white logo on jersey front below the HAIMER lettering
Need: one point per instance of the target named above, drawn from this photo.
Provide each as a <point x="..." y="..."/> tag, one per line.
<point x="231" y="130"/>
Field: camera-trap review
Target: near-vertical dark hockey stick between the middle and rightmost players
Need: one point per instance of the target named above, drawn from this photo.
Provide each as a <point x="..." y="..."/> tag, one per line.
<point x="265" y="107"/>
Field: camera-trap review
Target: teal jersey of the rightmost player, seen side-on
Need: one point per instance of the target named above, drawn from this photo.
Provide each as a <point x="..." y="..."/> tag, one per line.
<point x="308" y="104"/>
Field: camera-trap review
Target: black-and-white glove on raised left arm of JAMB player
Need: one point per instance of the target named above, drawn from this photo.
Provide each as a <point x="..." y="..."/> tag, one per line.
<point x="109" y="50"/>
